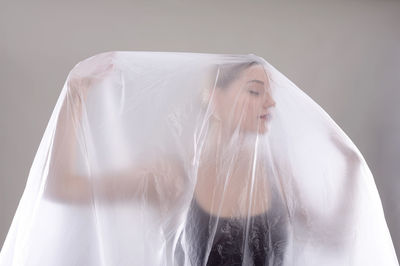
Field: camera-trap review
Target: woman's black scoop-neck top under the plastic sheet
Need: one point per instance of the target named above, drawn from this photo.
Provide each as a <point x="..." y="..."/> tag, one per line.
<point x="266" y="239"/>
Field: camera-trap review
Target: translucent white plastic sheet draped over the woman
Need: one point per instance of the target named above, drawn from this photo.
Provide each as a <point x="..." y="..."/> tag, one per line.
<point x="163" y="158"/>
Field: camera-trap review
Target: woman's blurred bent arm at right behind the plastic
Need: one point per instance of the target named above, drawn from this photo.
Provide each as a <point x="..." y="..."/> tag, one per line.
<point x="323" y="222"/>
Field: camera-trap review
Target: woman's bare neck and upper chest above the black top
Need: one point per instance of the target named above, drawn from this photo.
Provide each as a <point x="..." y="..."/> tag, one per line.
<point x="226" y="171"/>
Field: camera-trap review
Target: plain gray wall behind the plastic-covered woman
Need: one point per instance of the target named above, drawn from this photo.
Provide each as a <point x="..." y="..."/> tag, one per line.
<point x="344" y="54"/>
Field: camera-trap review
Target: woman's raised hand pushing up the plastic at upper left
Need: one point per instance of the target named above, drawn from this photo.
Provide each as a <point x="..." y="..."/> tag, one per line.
<point x="88" y="73"/>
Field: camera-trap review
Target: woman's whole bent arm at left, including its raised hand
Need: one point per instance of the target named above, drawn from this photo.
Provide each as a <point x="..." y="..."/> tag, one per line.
<point x="157" y="181"/>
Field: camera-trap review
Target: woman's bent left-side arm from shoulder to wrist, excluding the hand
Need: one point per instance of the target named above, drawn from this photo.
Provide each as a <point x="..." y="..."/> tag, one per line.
<point x="157" y="181"/>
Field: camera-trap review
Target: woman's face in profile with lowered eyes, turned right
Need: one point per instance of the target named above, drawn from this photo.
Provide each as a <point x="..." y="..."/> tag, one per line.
<point x="246" y="103"/>
